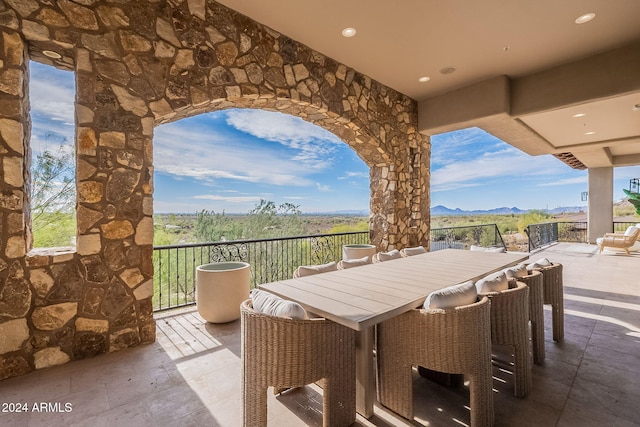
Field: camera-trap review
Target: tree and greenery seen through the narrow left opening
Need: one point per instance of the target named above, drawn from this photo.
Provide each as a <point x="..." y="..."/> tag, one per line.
<point x="52" y="195"/>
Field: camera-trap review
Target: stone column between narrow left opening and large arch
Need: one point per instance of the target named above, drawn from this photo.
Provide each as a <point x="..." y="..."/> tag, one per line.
<point x="115" y="208"/>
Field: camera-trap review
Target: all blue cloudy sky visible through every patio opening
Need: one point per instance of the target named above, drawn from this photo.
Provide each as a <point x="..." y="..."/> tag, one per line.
<point x="229" y="160"/>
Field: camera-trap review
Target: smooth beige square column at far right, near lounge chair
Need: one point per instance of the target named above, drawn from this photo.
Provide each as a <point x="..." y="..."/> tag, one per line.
<point x="600" y="214"/>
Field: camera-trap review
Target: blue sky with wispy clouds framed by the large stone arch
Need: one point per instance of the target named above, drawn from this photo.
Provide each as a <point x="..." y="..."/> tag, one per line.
<point x="229" y="160"/>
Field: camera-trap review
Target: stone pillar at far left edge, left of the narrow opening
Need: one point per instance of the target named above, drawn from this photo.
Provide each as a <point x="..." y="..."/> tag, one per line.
<point x="15" y="293"/>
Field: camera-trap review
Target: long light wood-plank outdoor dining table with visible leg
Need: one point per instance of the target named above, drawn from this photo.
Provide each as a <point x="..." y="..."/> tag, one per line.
<point x="364" y="296"/>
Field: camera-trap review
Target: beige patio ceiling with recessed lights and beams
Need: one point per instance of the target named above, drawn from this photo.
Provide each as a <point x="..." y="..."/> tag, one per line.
<point x="523" y="69"/>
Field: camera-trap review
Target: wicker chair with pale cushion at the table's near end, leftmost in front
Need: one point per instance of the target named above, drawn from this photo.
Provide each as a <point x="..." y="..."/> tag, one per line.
<point x="283" y="352"/>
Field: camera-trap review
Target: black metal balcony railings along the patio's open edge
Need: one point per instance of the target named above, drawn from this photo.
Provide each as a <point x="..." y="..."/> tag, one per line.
<point x="276" y="259"/>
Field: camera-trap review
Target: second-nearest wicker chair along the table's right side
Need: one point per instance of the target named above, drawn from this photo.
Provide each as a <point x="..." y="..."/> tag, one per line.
<point x="510" y="326"/>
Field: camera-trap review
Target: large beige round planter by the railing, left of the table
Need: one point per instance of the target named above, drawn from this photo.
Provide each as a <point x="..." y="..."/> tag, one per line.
<point x="220" y="289"/>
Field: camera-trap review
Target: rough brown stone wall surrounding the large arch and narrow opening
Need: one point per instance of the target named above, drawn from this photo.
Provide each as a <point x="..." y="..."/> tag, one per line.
<point x="138" y="64"/>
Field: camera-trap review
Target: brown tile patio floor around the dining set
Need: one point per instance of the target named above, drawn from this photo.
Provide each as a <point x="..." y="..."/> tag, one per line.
<point x="191" y="375"/>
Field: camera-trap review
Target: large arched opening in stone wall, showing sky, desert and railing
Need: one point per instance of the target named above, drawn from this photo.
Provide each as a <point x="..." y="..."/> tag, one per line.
<point x="255" y="186"/>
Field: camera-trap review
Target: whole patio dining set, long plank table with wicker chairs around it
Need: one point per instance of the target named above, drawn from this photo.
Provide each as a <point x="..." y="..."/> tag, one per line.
<point x="439" y="311"/>
